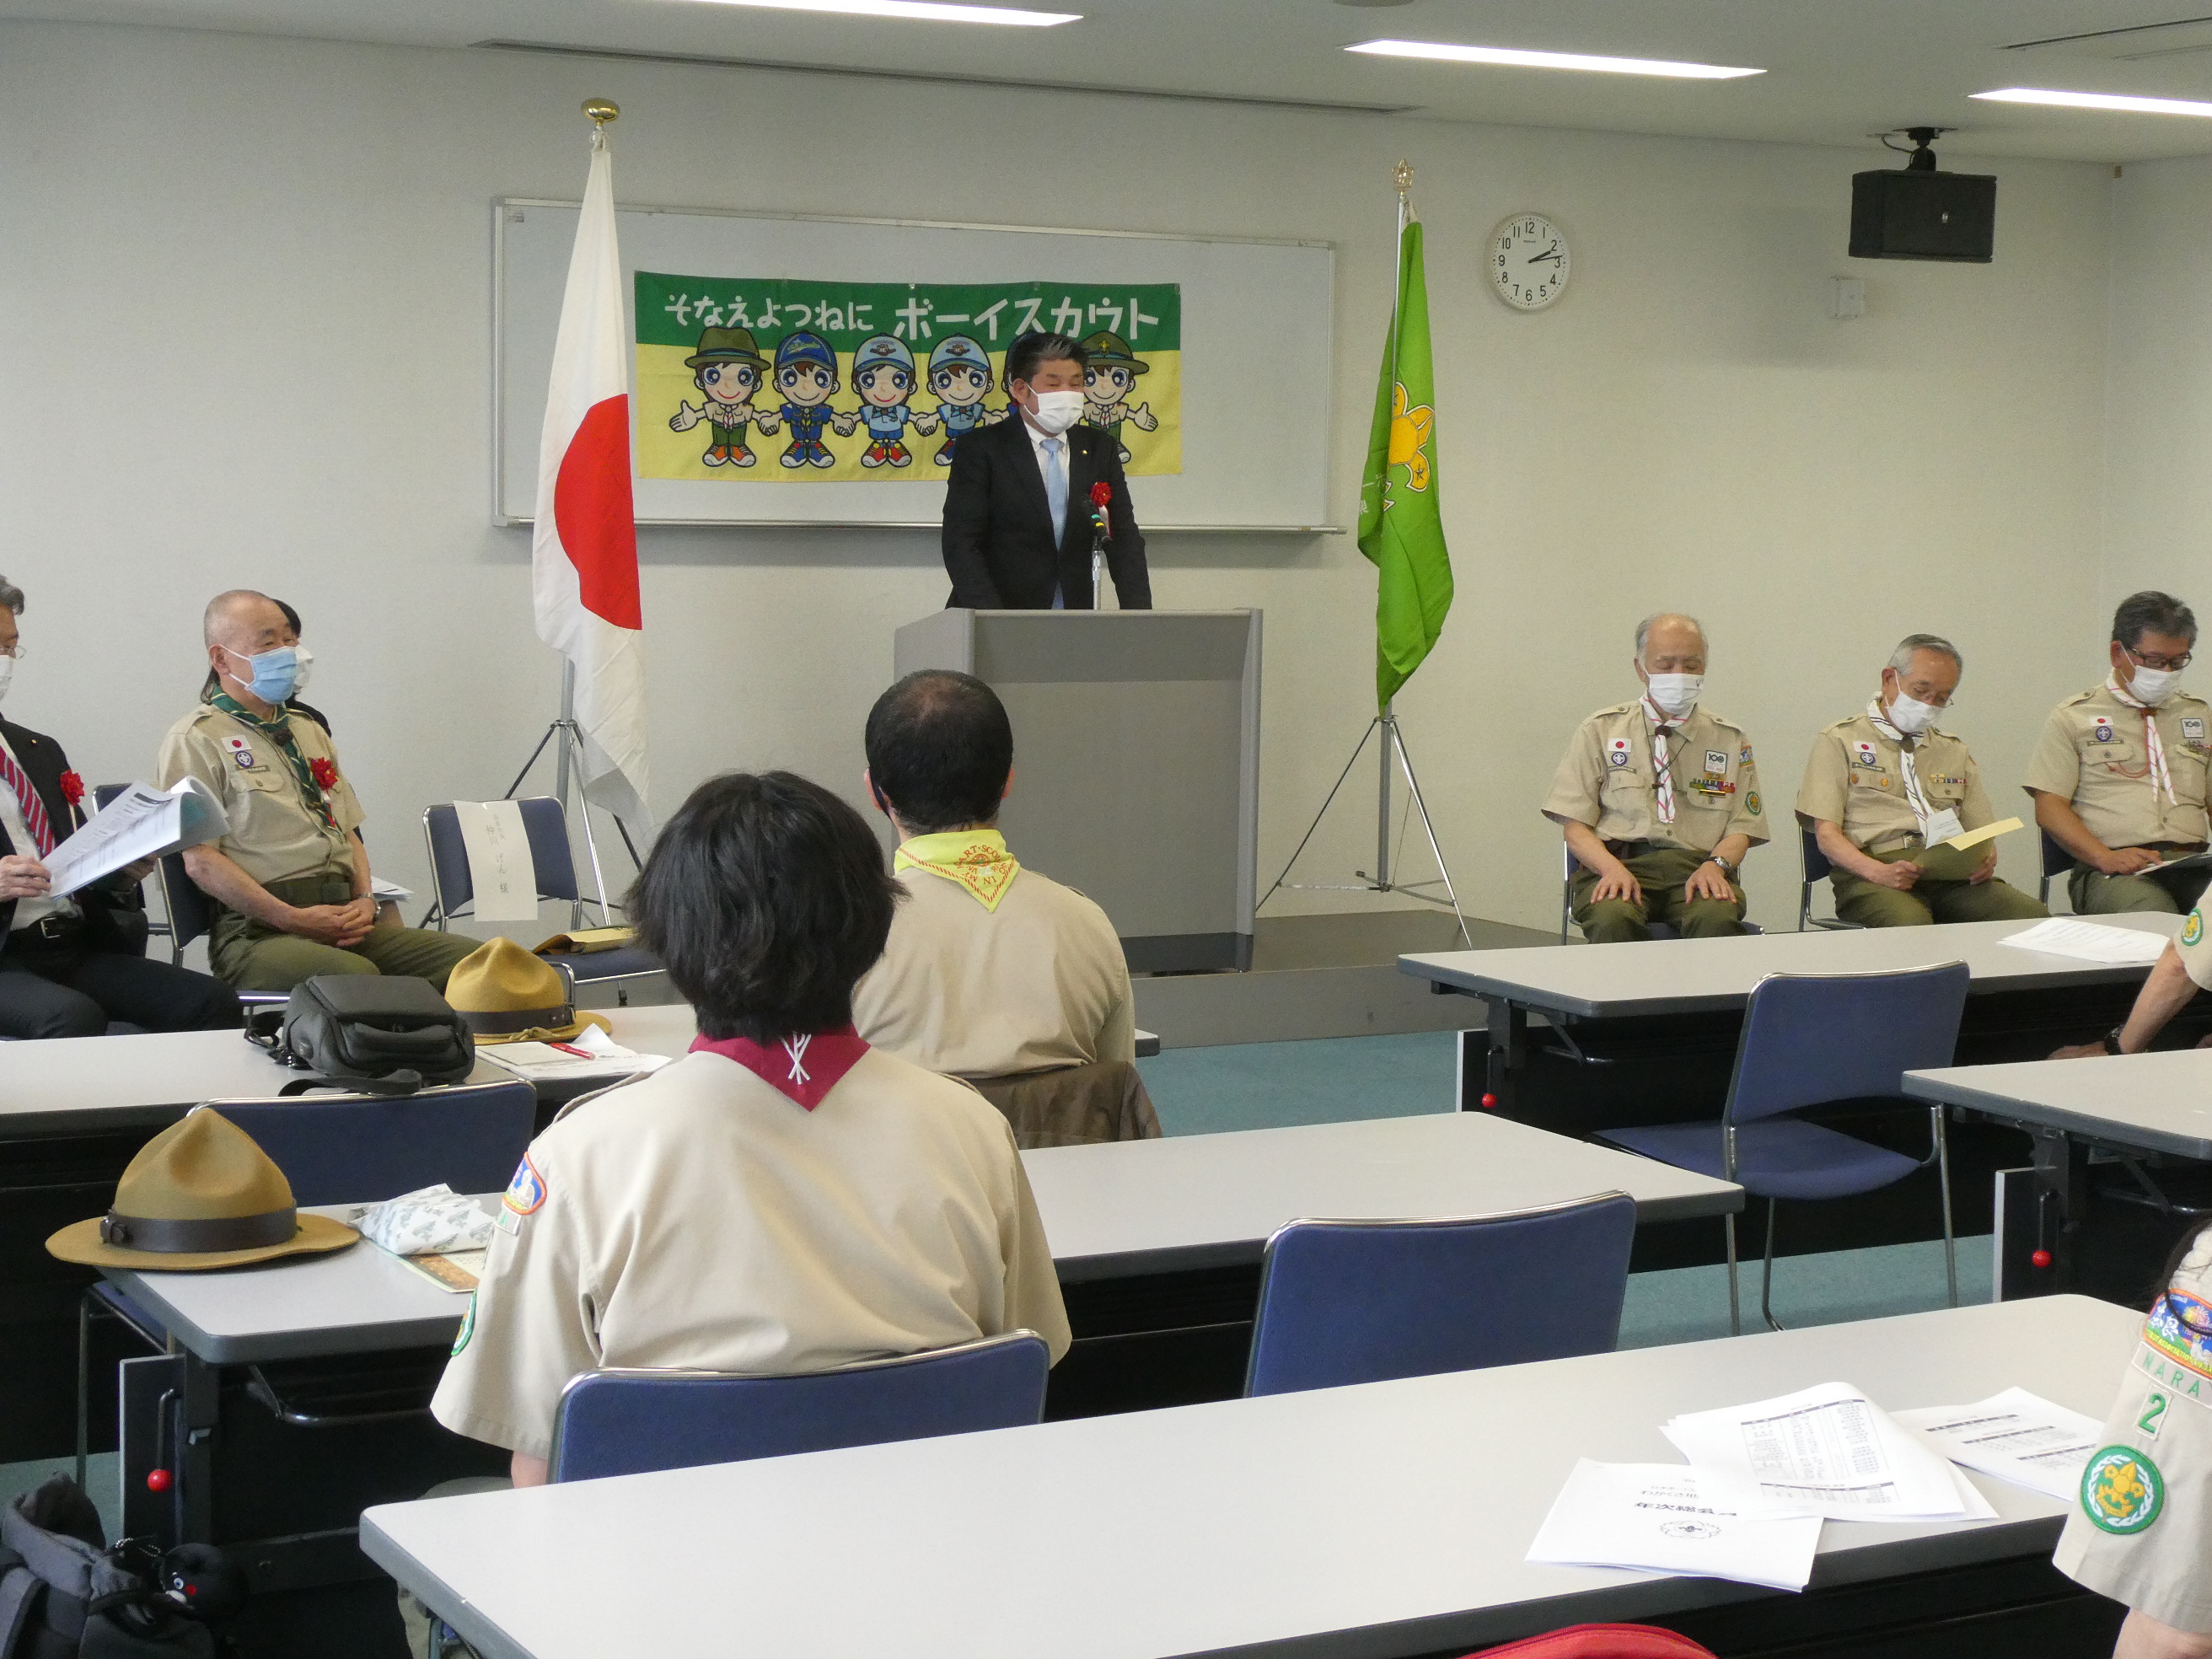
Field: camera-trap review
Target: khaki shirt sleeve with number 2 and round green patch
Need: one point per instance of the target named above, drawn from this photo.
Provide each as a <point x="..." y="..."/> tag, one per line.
<point x="2142" y="1523"/>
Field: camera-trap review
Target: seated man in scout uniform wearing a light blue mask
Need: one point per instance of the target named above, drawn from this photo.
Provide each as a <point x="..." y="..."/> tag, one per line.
<point x="291" y="881"/>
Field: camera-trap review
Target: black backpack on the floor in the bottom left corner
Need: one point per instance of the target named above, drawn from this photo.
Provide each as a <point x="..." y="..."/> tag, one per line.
<point x="65" y="1596"/>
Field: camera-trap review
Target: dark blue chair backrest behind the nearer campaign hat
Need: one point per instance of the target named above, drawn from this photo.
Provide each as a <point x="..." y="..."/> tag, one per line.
<point x="364" y="1149"/>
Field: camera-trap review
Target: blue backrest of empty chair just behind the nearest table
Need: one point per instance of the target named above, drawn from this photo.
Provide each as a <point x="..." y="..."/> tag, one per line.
<point x="1364" y="1302"/>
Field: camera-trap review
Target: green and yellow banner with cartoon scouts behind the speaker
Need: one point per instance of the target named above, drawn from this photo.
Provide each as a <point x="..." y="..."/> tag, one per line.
<point x="791" y="382"/>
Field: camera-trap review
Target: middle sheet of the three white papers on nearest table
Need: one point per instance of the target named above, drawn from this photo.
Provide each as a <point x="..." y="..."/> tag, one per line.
<point x="1824" y="1450"/>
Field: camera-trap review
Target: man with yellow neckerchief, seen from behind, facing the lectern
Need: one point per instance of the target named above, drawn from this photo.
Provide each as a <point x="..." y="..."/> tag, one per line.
<point x="992" y="970"/>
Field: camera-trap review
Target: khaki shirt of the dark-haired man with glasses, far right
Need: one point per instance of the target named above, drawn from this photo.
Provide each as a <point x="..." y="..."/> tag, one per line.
<point x="2094" y="755"/>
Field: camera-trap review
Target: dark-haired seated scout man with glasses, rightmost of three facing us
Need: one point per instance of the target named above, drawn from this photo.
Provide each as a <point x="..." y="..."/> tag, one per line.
<point x="2120" y="773"/>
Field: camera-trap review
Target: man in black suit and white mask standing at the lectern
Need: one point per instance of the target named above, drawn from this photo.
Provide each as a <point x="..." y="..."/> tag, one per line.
<point x="1019" y="497"/>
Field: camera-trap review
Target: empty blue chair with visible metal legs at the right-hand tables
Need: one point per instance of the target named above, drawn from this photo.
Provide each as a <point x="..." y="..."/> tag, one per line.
<point x="1819" y="1041"/>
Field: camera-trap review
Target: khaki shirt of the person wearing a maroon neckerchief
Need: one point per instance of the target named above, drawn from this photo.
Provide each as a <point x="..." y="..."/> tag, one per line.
<point x="700" y="1220"/>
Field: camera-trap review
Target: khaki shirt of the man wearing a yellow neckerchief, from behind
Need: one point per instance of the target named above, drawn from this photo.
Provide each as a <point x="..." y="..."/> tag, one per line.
<point x="979" y="992"/>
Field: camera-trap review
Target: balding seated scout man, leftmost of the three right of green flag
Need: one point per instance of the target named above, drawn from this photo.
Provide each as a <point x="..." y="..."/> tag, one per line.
<point x="1660" y="802"/>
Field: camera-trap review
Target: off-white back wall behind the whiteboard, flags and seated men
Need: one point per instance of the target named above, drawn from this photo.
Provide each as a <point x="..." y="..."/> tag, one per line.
<point x="244" y="315"/>
